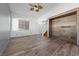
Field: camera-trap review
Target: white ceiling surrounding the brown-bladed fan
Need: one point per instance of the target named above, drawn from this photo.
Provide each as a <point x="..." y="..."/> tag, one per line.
<point x="20" y="10"/>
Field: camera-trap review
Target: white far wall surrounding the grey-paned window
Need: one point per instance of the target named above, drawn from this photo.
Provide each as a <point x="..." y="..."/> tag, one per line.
<point x="34" y="27"/>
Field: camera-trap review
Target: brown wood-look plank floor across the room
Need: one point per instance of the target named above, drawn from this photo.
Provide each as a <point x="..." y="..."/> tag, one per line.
<point x="40" y="46"/>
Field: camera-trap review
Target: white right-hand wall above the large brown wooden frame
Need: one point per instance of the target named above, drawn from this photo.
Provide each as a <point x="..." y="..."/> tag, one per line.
<point x="60" y="8"/>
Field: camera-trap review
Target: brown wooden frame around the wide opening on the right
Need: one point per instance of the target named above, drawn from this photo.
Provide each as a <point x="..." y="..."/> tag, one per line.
<point x="67" y="13"/>
